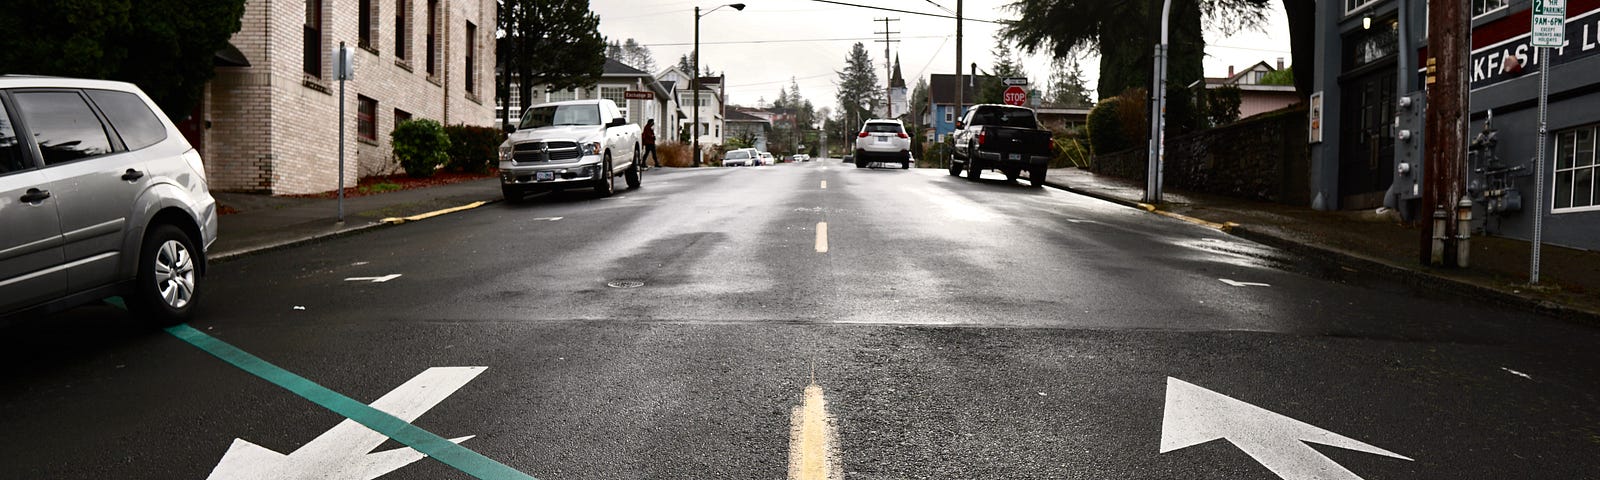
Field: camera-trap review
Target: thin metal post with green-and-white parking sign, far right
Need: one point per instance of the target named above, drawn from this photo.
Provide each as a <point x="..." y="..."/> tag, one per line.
<point x="1548" y="31"/>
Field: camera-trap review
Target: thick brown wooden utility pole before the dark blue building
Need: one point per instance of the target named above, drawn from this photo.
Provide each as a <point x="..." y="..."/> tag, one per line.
<point x="1447" y="132"/>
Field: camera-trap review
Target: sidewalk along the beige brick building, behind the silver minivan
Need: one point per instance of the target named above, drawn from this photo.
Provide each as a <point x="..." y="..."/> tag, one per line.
<point x="265" y="222"/>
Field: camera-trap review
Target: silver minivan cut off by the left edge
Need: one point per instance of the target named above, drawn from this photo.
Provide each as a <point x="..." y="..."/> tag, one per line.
<point x="100" y="196"/>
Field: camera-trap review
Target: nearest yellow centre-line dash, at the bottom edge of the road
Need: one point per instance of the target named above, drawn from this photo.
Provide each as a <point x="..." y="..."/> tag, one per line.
<point x="814" y="442"/>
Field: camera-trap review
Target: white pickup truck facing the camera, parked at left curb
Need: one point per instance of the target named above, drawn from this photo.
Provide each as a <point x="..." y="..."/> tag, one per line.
<point x="569" y="146"/>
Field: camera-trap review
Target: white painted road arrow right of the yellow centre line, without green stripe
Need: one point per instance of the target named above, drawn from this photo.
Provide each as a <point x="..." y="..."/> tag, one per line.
<point x="1196" y="415"/>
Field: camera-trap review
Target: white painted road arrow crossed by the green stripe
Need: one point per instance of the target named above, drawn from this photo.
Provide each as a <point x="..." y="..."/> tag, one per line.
<point x="345" y="452"/>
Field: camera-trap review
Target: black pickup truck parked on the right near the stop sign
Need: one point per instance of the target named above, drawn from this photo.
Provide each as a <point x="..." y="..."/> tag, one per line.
<point x="1002" y="138"/>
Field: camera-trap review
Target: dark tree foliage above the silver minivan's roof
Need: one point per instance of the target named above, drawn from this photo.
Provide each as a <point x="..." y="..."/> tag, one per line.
<point x="166" y="47"/>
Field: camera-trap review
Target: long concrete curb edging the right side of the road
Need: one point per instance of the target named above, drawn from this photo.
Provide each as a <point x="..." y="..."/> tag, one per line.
<point x="1410" y="278"/>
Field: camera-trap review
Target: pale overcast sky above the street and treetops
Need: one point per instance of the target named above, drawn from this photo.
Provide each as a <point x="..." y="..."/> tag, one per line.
<point x="772" y="41"/>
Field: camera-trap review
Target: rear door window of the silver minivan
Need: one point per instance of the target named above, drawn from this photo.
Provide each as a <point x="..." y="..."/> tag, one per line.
<point x="63" y="126"/>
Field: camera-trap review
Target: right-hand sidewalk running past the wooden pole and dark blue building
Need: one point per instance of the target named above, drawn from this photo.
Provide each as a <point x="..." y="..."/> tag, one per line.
<point x="1372" y="242"/>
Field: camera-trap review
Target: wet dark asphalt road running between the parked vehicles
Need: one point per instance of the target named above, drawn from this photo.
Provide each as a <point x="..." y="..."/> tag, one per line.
<point x="958" y="330"/>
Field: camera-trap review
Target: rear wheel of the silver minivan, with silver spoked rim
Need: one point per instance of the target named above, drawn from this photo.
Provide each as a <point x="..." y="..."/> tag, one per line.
<point x="169" y="278"/>
